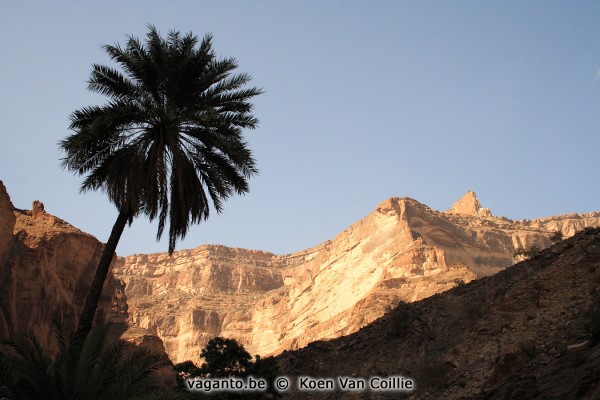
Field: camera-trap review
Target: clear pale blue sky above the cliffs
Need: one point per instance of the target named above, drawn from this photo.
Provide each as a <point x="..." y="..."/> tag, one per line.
<point x="363" y="101"/>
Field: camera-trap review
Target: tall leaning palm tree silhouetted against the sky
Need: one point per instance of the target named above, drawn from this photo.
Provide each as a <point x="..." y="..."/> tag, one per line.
<point x="167" y="143"/>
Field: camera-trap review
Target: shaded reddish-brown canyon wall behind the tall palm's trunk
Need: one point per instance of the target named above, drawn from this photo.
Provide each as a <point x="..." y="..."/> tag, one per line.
<point x="46" y="268"/>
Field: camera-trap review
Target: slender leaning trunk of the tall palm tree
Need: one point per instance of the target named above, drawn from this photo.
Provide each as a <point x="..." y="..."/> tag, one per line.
<point x="91" y="301"/>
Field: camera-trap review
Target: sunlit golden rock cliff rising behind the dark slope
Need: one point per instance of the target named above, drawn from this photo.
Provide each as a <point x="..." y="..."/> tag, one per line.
<point x="402" y="251"/>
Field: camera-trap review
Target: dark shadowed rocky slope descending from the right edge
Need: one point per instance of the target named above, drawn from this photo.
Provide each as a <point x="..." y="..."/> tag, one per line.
<point x="524" y="333"/>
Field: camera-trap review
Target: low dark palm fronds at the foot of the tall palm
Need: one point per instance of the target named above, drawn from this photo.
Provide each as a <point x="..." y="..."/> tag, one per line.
<point x="98" y="368"/>
